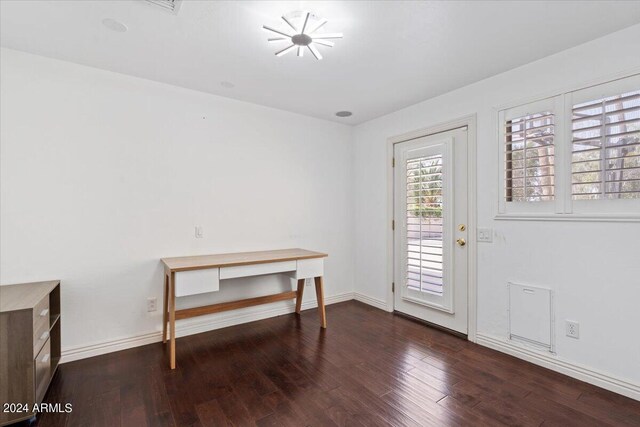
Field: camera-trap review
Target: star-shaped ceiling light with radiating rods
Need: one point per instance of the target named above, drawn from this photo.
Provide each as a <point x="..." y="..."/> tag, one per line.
<point x="301" y="32"/>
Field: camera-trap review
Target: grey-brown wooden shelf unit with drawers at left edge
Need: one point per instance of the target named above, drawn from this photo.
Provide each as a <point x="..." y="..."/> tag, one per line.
<point x="29" y="344"/>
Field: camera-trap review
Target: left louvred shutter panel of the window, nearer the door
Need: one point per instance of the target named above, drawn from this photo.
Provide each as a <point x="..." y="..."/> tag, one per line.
<point x="529" y="158"/>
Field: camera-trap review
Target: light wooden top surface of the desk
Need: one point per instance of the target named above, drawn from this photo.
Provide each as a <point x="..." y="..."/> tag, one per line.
<point x="235" y="259"/>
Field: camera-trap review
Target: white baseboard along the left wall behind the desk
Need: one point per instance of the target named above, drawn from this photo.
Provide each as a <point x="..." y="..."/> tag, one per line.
<point x="187" y="327"/>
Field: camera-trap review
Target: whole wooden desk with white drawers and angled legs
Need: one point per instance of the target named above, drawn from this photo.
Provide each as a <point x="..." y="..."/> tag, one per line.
<point x="201" y="274"/>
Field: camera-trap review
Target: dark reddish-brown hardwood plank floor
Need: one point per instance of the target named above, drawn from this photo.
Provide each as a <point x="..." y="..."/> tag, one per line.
<point x="370" y="368"/>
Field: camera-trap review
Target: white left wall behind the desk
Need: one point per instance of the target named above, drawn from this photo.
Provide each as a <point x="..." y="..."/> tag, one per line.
<point x="103" y="174"/>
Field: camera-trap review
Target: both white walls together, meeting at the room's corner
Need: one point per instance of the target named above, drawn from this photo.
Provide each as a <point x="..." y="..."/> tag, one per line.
<point x="103" y="174"/>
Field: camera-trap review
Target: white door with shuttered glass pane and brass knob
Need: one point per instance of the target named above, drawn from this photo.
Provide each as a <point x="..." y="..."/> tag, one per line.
<point x="430" y="214"/>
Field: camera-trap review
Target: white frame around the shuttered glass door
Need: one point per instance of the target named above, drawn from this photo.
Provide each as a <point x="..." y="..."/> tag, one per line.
<point x="472" y="271"/>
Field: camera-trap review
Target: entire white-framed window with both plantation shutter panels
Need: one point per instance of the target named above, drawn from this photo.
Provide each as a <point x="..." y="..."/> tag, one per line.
<point x="575" y="155"/>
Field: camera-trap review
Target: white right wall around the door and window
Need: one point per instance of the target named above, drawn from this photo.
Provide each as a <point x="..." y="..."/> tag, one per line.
<point x="593" y="268"/>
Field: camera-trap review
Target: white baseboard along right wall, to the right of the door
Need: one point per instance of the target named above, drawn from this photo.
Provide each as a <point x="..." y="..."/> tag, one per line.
<point x="555" y="363"/>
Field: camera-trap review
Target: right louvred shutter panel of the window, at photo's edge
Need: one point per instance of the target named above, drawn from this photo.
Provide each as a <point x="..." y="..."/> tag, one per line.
<point x="605" y="138"/>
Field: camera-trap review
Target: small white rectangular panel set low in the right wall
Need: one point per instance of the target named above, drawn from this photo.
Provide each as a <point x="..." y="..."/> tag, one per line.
<point x="531" y="315"/>
